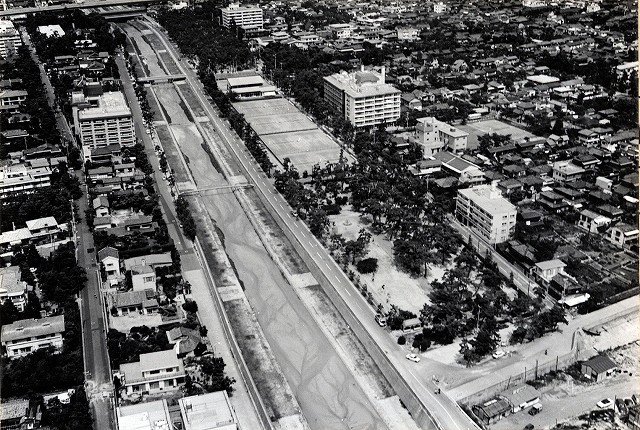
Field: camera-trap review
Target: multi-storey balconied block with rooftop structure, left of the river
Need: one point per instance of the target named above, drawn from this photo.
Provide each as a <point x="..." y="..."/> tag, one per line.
<point x="108" y="122"/>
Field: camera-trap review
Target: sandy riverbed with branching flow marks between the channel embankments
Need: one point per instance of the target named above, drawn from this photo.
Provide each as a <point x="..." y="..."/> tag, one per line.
<point x="327" y="392"/>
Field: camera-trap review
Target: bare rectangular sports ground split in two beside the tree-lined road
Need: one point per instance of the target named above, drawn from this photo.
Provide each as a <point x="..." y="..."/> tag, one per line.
<point x="287" y="132"/>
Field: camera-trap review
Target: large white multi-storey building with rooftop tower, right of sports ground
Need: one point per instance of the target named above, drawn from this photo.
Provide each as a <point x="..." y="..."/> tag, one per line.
<point x="363" y="97"/>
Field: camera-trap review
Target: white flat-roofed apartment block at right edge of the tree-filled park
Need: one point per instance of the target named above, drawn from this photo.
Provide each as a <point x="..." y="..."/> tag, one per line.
<point x="485" y="211"/>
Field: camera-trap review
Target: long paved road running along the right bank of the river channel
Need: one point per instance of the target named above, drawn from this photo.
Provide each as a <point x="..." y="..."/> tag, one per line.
<point x="444" y="409"/>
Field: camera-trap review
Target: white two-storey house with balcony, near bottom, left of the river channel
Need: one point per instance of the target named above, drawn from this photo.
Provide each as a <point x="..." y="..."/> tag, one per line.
<point x="154" y="373"/>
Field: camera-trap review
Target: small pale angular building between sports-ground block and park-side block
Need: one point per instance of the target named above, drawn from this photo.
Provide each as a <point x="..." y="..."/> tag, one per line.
<point x="436" y="136"/>
